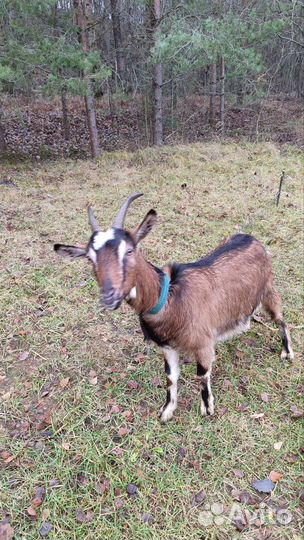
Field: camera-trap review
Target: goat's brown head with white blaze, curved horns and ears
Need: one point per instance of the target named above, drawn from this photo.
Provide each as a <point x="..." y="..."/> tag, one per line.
<point x="113" y="254"/>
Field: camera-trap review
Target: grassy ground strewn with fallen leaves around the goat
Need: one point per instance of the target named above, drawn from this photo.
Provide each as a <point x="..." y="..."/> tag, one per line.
<point x="80" y="391"/>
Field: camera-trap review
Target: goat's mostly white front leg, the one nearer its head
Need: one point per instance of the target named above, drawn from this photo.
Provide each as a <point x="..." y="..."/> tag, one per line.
<point x="172" y="373"/>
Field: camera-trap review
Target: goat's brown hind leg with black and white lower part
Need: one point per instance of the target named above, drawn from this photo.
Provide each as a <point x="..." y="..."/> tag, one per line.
<point x="273" y="305"/>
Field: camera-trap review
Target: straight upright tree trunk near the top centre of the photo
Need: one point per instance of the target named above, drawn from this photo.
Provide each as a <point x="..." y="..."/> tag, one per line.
<point x="157" y="86"/>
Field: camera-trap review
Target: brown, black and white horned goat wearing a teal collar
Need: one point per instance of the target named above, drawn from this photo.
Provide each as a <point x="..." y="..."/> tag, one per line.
<point x="184" y="307"/>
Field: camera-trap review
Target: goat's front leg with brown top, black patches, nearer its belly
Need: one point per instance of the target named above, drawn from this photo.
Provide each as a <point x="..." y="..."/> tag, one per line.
<point x="204" y="359"/>
